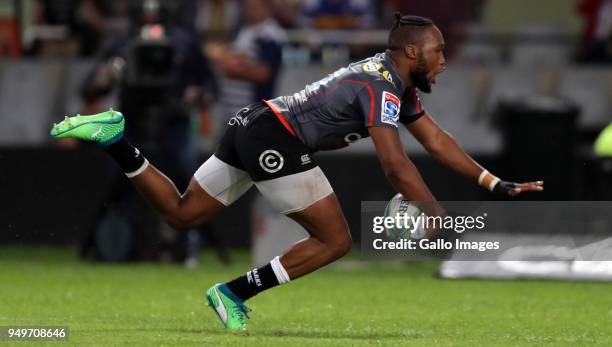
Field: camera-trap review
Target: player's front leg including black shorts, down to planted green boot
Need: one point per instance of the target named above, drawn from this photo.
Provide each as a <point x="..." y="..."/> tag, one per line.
<point x="287" y="176"/>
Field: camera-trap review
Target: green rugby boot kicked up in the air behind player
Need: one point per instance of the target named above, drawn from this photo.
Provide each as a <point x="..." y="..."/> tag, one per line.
<point x="103" y="128"/>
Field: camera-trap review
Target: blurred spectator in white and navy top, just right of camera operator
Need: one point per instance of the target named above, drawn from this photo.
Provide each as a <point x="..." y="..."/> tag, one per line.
<point x="251" y="65"/>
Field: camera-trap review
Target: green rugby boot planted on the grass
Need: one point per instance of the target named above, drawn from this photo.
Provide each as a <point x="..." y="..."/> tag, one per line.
<point x="230" y="309"/>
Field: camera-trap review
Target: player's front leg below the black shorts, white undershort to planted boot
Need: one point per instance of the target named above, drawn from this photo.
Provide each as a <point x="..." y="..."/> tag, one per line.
<point x="308" y="198"/>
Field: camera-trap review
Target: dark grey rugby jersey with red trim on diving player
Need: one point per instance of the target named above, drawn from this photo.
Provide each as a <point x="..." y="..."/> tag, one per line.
<point x="337" y="110"/>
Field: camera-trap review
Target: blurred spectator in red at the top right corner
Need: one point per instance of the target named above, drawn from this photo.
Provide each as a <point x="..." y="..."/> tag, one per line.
<point x="594" y="45"/>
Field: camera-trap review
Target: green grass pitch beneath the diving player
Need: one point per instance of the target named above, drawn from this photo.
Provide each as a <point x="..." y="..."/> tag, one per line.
<point x="364" y="305"/>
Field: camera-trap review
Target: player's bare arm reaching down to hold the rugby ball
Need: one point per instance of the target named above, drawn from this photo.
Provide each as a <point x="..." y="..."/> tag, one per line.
<point x="400" y="171"/>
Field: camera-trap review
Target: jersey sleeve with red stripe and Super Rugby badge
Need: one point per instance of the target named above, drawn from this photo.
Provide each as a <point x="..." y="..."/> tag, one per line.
<point x="380" y="104"/>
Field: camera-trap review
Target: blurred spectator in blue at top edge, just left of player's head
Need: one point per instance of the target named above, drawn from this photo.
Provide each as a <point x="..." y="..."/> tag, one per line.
<point x="337" y="14"/>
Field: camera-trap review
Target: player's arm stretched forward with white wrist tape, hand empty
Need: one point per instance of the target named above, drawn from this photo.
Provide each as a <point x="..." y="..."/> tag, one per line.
<point x="441" y="145"/>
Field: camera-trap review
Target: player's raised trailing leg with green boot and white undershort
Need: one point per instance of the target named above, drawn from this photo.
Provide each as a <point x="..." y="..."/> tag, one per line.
<point x="205" y="195"/>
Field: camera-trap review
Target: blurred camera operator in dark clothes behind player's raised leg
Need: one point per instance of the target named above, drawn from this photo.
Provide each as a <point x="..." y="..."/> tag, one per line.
<point x="163" y="79"/>
